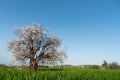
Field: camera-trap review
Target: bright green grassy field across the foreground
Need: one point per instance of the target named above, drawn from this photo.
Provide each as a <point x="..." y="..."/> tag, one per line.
<point x="58" y="74"/>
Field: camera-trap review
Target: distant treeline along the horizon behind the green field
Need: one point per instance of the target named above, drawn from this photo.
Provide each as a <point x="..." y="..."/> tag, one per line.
<point x="105" y="65"/>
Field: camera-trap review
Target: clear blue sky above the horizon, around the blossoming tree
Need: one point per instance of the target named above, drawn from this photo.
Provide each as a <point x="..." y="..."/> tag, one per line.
<point x="90" y="29"/>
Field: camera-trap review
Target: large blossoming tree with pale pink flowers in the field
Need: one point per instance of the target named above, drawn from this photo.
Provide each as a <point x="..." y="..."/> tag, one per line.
<point x="34" y="45"/>
